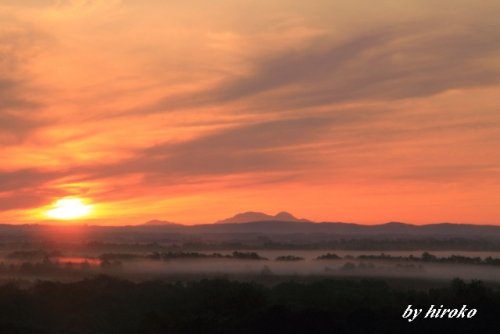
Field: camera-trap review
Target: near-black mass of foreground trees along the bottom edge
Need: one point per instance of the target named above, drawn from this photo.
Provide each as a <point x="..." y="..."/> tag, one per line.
<point x="108" y="305"/>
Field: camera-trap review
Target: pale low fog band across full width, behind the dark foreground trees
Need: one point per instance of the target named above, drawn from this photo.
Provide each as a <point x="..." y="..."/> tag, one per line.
<point x="73" y="266"/>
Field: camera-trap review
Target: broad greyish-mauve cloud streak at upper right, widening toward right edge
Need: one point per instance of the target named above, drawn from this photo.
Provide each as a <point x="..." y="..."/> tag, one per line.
<point x="399" y="62"/>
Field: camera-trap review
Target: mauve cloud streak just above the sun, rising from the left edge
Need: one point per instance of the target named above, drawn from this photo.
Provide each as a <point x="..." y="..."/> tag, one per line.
<point x="273" y="146"/>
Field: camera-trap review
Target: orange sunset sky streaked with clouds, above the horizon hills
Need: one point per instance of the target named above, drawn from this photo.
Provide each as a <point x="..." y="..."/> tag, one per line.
<point x="191" y="111"/>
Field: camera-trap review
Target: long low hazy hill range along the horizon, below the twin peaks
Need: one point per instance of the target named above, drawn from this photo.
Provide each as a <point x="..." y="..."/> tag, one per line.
<point x="157" y="230"/>
